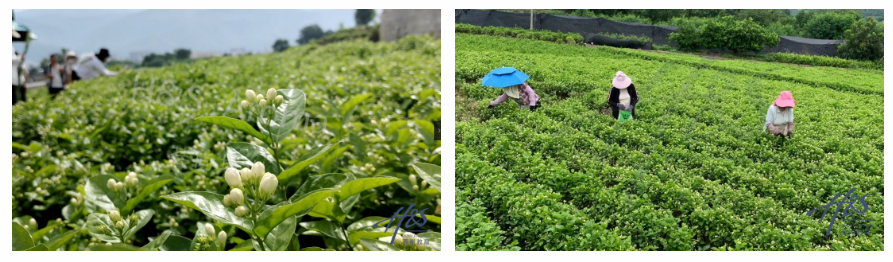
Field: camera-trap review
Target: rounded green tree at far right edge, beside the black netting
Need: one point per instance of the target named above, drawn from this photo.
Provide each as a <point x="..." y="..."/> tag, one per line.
<point x="864" y="41"/>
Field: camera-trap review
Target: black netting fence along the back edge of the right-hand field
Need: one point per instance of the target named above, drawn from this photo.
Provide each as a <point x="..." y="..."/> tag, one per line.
<point x="590" y="27"/>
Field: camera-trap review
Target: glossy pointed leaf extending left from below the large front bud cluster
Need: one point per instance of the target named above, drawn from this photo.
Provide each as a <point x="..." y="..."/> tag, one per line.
<point x="210" y="204"/>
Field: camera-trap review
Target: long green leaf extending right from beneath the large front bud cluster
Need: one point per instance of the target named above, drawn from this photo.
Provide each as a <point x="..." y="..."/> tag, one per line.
<point x="268" y="220"/>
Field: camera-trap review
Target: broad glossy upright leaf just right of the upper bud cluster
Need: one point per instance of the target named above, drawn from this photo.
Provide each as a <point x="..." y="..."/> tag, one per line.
<point x="286" y="116"/>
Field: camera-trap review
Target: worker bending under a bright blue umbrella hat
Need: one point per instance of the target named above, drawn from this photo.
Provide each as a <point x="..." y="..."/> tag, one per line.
<point x="513" y="84"/>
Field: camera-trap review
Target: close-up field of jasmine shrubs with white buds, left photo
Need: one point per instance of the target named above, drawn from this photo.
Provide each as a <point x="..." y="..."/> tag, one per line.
<point x="186" y="157"/>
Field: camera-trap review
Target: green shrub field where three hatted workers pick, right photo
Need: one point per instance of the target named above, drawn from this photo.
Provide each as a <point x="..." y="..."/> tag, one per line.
<point x="693" y="172"/>
